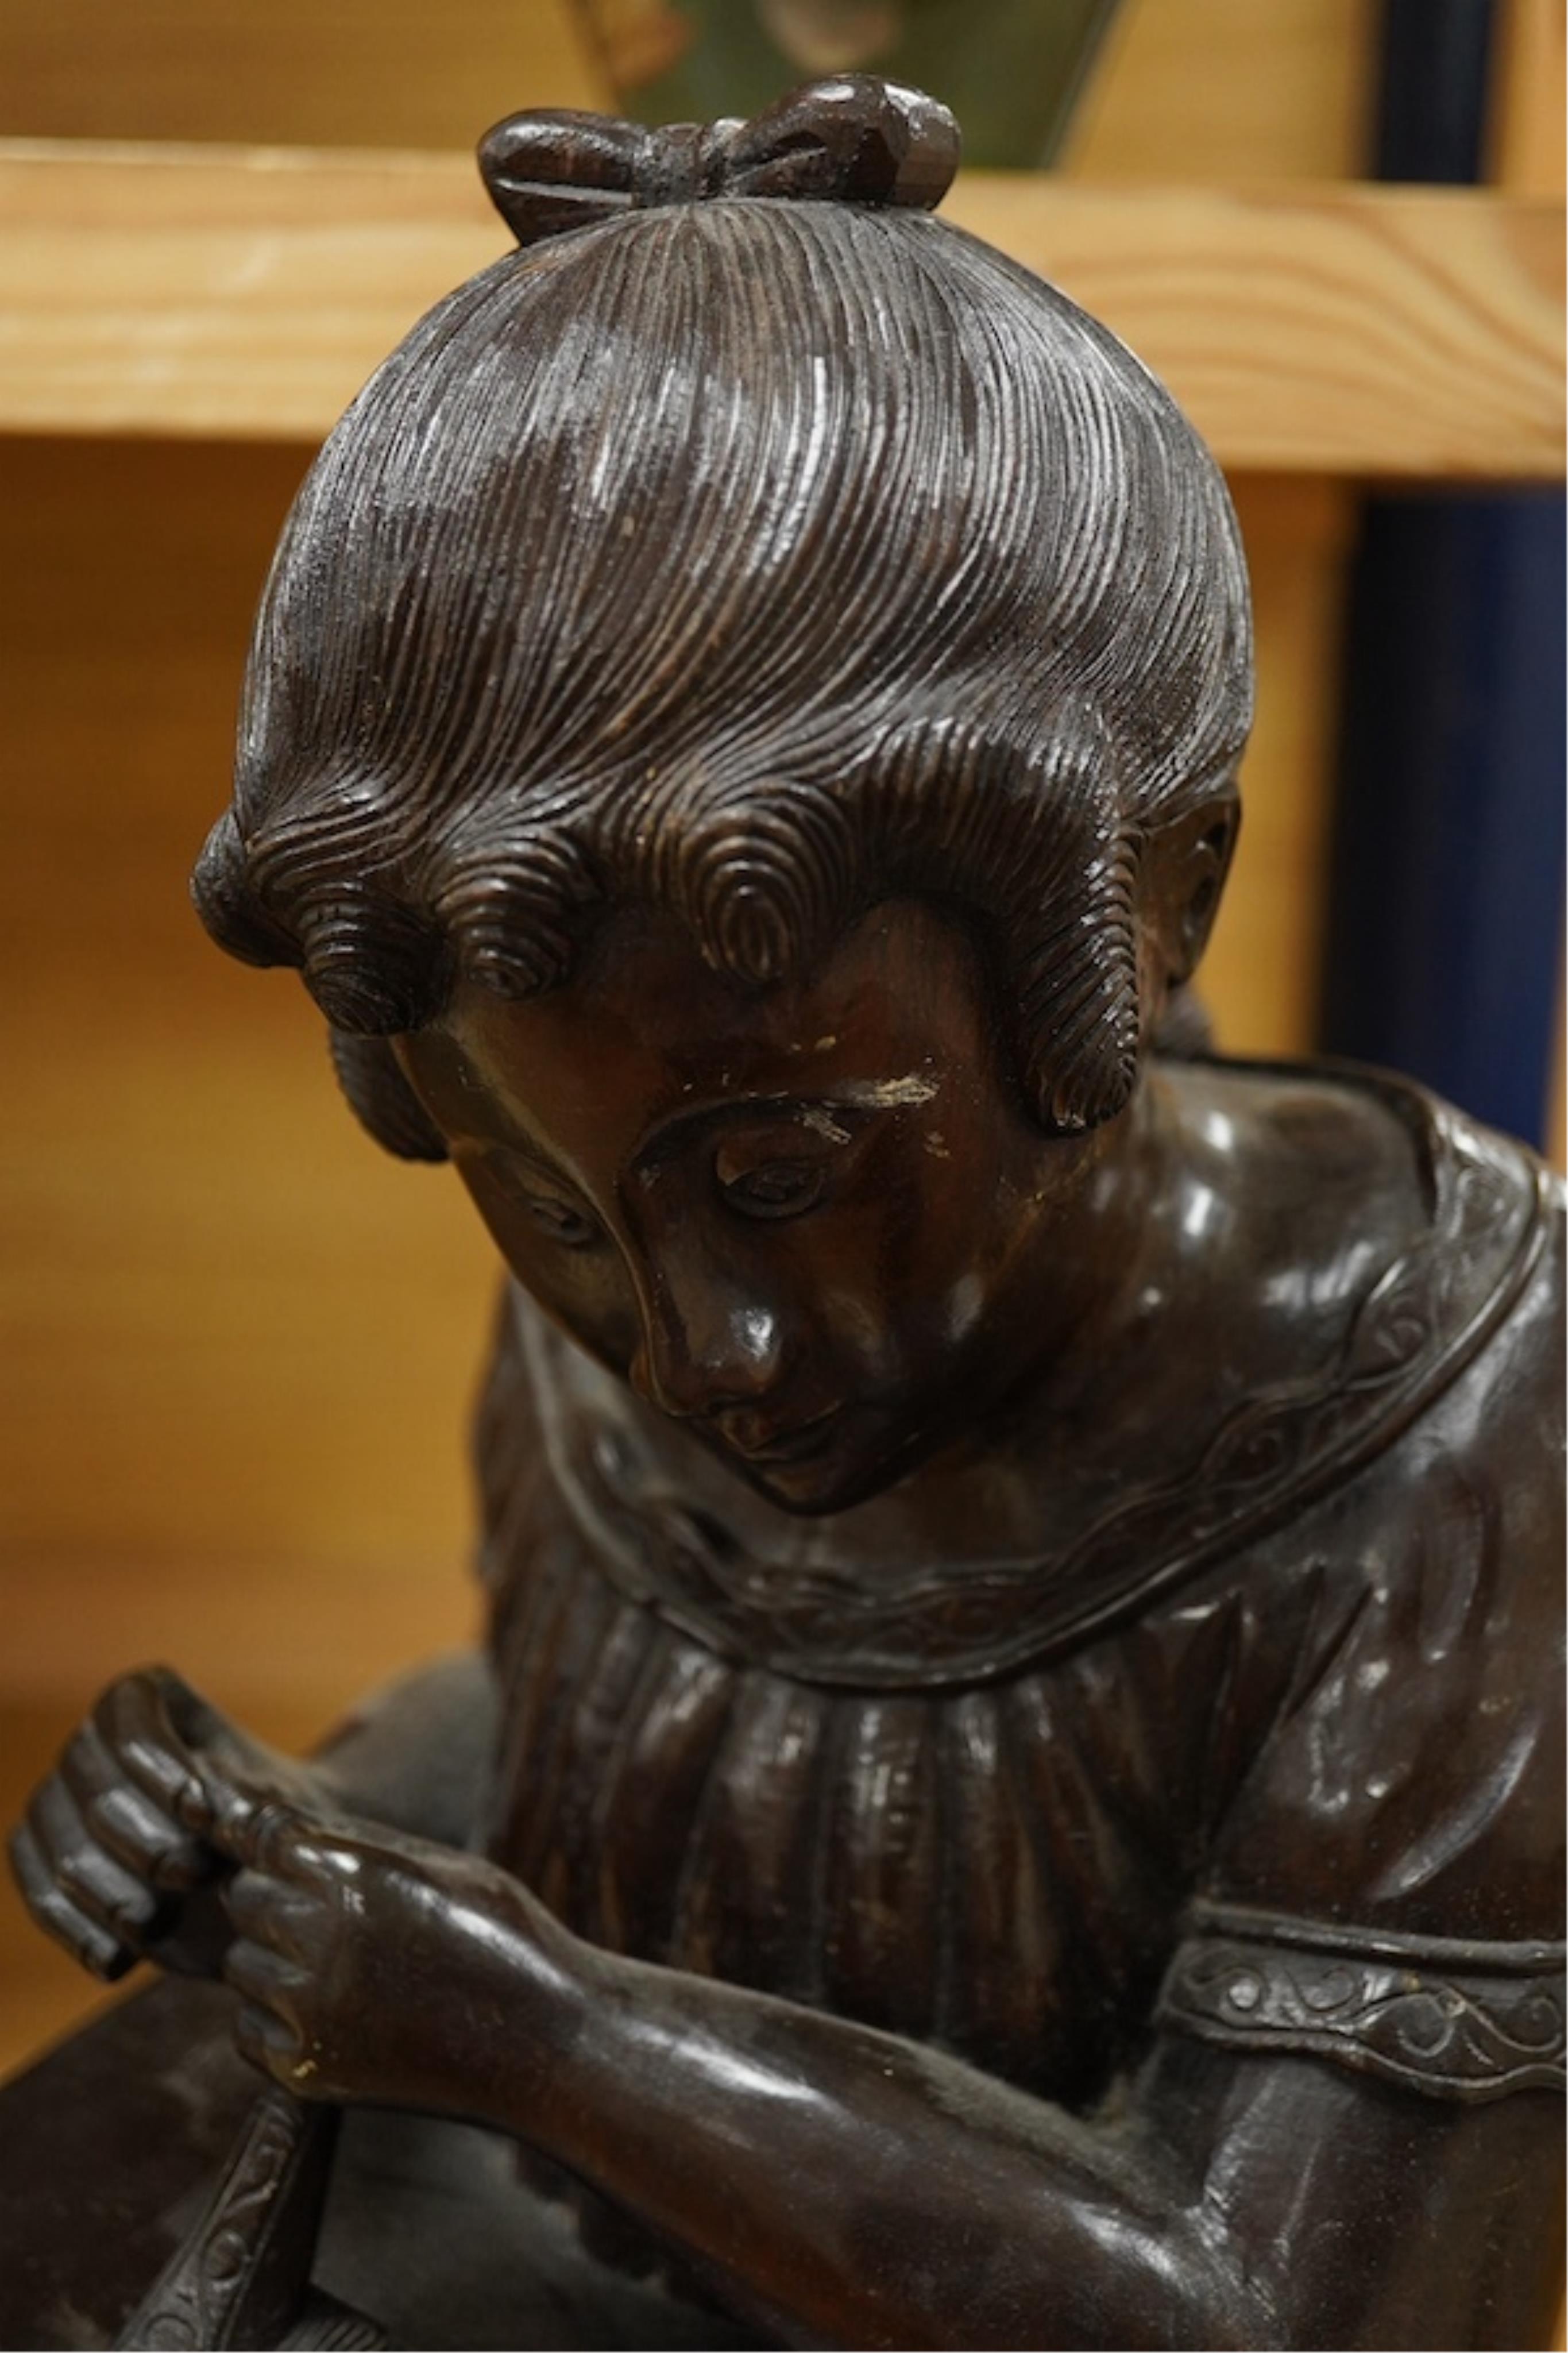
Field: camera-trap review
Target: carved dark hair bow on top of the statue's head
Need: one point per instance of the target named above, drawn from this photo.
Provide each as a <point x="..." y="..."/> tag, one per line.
<point x="852" y="140"/>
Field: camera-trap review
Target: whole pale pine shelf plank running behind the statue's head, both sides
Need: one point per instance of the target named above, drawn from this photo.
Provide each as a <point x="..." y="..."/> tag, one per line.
<point x="1308" y="331"/>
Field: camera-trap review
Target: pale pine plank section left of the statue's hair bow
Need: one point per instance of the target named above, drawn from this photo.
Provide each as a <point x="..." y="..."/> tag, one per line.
<point x="234" y="293"/>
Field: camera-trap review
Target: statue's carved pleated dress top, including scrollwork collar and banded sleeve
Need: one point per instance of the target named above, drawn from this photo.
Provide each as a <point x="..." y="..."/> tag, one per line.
<point x="1266" y="1754"/>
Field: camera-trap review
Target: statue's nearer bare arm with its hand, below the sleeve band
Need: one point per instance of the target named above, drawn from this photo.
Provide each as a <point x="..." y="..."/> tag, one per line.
<point x="845" y="2187"/>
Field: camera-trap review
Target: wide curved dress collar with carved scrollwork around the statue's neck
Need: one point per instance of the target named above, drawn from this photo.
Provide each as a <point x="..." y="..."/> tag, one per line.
<point x="819" y="1604"/>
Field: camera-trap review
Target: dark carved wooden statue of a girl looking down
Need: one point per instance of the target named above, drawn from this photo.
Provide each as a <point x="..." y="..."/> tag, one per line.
<point x="1014" y="1789"/>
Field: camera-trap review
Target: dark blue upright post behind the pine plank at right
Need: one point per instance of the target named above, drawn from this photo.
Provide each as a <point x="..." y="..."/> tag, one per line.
<point x="1447" y="898"/>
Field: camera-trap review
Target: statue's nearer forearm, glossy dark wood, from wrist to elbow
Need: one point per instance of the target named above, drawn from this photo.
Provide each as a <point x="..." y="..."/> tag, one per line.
<point x="859" y="2189"/>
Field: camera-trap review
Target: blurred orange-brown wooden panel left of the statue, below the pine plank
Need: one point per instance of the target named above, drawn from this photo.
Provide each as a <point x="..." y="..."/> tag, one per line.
<point x="239" y="1340"/>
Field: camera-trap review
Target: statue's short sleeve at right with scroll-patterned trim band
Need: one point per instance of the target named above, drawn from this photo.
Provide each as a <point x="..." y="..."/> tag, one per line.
<point x="1388" y="1881"/>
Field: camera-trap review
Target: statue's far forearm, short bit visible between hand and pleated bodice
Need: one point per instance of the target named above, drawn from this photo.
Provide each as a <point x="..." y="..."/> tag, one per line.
<point x="420" y="1754"/>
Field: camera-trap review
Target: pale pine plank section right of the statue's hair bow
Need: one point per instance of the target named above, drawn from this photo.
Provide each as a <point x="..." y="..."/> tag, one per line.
<point x="1320" y="331"/>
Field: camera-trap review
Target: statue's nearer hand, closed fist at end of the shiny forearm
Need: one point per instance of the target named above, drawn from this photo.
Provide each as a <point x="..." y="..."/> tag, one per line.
<point x="389" y="1971"/>
